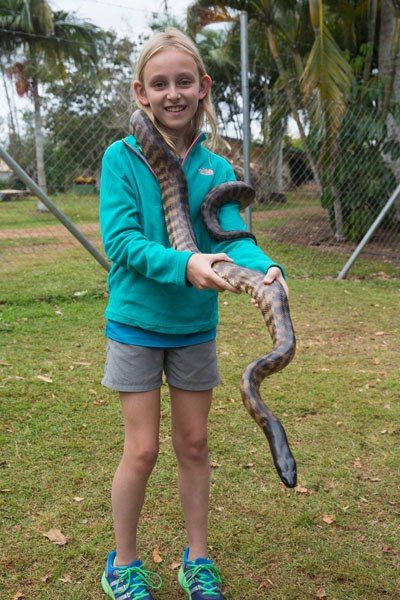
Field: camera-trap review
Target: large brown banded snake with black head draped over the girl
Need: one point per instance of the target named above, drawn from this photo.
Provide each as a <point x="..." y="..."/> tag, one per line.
<point x="271" y="299"/>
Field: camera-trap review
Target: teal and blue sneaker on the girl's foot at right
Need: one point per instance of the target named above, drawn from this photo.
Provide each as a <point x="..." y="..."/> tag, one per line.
<point x="200" y="578"/>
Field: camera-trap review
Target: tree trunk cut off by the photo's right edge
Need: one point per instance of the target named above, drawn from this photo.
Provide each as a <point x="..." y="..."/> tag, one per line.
<point x="389" y="71"/>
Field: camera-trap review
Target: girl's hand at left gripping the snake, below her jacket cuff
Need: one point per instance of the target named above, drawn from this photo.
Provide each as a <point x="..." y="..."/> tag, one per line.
<point x="200" y="273"/>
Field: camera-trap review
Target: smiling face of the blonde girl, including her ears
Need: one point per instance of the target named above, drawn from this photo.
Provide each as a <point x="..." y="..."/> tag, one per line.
<point x="172" y="89"/>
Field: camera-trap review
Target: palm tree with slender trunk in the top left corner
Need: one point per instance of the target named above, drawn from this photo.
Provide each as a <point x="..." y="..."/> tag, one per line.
<point x="48" y="41"/>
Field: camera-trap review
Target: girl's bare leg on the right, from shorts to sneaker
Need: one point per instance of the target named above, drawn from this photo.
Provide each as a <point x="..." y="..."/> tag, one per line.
<point x="189" y="436"/>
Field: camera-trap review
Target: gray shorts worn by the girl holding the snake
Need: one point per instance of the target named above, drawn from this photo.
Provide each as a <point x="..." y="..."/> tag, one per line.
<point x="139" y="369"/>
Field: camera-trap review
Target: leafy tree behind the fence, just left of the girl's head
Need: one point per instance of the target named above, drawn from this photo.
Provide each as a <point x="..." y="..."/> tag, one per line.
<point x="88" y="112"/>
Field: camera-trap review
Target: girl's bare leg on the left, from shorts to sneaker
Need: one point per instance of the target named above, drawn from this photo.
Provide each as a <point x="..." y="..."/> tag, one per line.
<point x="141" y="412"/>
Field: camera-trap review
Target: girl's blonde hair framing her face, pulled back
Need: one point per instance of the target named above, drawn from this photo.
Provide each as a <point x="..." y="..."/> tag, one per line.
<point x="174" y="38"/>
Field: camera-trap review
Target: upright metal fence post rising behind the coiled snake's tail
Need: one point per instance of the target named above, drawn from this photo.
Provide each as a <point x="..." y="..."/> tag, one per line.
<point x="244" y="55"/>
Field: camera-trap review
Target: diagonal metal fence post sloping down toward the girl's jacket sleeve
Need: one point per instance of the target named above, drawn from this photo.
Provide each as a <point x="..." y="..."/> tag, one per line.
<point x="53" y="208"/>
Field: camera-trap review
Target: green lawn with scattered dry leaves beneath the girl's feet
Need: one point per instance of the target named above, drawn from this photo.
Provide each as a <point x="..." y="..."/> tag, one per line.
<point x="338" y="401"/>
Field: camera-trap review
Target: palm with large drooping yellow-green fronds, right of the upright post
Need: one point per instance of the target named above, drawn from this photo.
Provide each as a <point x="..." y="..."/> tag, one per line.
<point x="325" y="80"/>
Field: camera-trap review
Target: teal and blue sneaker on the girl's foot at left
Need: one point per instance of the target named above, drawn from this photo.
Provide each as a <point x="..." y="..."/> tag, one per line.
<point x="132" y="582"/>
